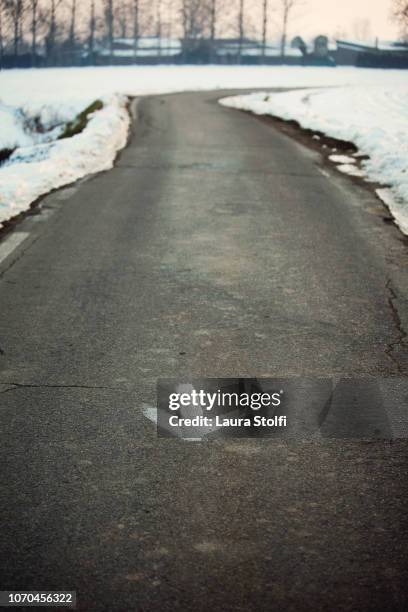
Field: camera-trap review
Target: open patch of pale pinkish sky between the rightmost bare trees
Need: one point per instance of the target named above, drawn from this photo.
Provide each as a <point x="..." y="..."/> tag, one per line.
<point x="369" y="18"/>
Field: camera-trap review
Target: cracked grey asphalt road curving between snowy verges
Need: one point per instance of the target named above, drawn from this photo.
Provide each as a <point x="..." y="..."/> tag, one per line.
<point x="216" y="247"/>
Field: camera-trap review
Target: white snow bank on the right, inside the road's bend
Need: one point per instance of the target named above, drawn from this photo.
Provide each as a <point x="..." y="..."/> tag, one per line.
<point x="374" y="117"/>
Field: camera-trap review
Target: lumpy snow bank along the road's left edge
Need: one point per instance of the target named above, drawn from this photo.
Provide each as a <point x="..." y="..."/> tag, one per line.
<point x="34" y="170"/>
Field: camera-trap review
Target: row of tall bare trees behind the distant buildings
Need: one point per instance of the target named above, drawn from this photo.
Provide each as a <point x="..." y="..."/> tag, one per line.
<point x="54" y="32"/>
